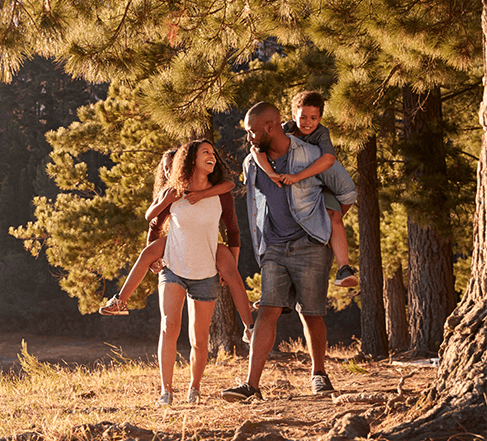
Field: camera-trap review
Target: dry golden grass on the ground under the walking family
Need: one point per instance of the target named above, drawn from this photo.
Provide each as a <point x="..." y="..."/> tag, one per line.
<point x="60" y="403"/>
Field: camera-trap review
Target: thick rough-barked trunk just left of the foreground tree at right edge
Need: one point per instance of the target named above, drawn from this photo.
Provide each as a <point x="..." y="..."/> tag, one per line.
<point x="431" y="294"/>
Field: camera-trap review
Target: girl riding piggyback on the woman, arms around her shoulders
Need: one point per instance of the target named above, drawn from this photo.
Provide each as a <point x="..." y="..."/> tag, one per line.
<point x="150" y="257"/>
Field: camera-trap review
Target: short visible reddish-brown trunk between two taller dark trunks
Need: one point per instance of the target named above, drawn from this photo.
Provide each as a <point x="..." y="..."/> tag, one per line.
<point x="395" y="306"/>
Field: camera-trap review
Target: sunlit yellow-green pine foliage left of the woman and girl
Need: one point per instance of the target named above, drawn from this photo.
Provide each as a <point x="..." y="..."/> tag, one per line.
<point x="96" y="229"/>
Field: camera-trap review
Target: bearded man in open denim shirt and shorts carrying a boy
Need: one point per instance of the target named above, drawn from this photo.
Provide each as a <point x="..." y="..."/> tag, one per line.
<point x="290" y="230"/>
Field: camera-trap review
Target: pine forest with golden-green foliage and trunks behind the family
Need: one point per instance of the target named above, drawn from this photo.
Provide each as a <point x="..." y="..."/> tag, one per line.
<point x="402" y="103"/>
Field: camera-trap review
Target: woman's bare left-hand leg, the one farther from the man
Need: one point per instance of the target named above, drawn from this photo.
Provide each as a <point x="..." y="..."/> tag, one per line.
<point x="171" y="301"/>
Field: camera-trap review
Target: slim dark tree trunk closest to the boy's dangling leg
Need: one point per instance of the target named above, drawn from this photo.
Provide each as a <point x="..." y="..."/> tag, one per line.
<point x="373" y="329"/>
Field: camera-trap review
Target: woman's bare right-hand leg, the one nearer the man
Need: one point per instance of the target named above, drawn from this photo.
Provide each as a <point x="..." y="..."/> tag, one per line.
<point x="199" y="328"/>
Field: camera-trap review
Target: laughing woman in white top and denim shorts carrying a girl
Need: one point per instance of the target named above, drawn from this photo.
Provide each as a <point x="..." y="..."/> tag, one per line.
<point x="190" y="260"/>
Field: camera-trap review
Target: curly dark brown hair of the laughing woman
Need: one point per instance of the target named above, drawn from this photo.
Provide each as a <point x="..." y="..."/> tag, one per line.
<point x="184" y="164"/>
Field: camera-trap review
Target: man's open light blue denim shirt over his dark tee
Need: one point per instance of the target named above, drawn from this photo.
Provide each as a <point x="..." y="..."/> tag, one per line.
<point x="305" y="198"/>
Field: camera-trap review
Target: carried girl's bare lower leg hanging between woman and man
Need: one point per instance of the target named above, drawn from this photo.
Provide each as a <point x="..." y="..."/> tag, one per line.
<point x="227" y="267"/>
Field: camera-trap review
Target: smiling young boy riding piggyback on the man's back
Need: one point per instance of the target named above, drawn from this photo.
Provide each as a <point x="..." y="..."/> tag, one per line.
<point x="307" y="110"/>
